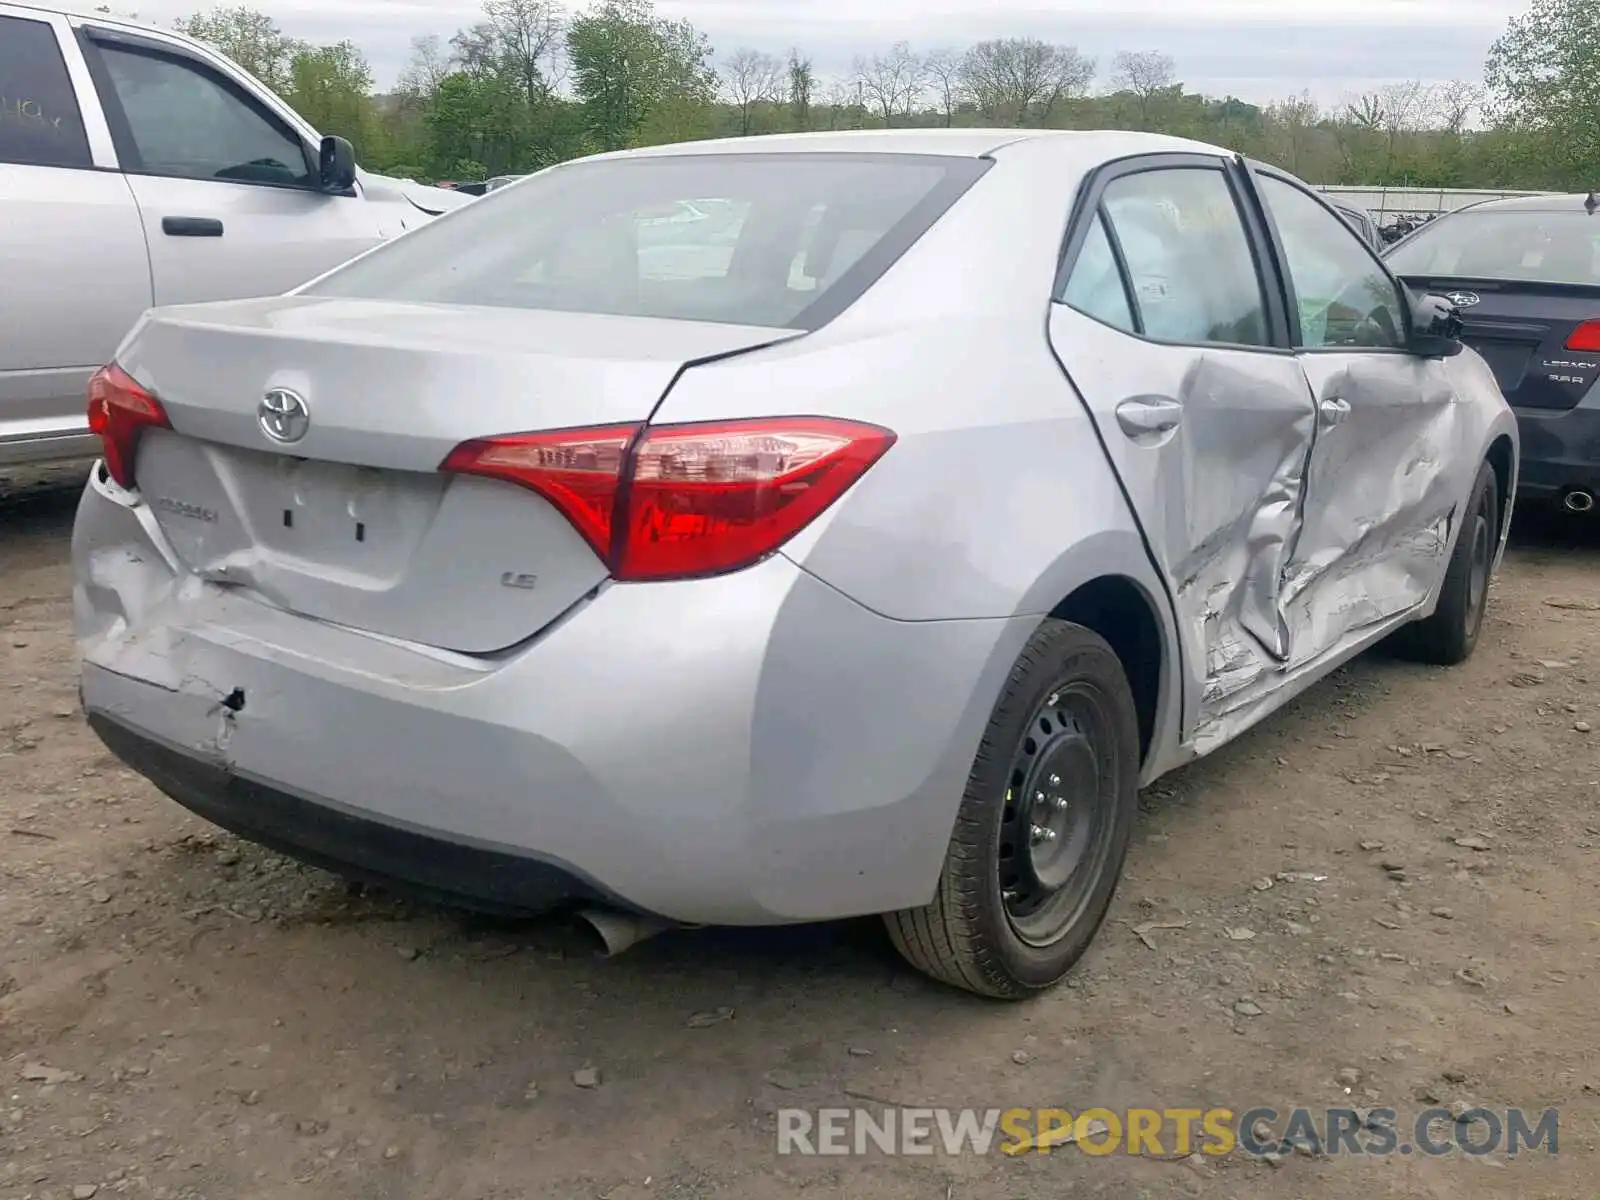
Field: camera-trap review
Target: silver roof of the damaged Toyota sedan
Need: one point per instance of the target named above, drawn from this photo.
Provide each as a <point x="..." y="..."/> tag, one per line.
<point x="950" y="143"/>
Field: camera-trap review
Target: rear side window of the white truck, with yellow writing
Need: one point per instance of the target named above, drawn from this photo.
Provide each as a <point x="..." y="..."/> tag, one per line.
<point x="41" y="124"/>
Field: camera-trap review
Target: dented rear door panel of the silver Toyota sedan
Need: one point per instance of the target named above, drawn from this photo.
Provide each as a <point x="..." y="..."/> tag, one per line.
<point x="1218" y="495"/>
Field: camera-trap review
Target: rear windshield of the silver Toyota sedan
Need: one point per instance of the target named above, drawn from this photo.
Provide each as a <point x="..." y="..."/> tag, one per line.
<point x="782" y="241"/>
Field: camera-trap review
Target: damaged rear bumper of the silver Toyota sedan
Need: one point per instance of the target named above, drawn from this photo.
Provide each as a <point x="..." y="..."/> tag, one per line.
<point x="748" y="750"/>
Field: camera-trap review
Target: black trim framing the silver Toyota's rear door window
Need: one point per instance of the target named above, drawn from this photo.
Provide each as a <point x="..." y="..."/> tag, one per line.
<point x="1089" y="206"/>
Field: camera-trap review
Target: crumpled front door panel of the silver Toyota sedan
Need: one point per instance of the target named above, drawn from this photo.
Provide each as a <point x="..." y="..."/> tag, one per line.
<point x="1386" y="479"/>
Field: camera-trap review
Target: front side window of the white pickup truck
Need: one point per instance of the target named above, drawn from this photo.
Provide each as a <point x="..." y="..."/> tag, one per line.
<point x="188" y="124"/>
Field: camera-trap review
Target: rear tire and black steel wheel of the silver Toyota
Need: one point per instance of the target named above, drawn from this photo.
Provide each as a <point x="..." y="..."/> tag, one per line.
<point x="1014" y="911"/>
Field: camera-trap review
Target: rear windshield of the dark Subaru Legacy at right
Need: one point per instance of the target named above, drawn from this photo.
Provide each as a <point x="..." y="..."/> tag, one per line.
<point x="1532" y="247"/>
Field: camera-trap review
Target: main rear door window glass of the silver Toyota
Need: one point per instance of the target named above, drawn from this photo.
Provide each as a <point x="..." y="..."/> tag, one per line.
<point x="1190" y="263"/>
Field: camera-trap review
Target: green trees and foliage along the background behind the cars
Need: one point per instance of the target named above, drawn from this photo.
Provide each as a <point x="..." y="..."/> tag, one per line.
<point x="530" y="86"/>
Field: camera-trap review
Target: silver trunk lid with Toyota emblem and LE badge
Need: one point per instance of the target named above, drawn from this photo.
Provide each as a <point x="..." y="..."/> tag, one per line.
<point x="353" y="524"/>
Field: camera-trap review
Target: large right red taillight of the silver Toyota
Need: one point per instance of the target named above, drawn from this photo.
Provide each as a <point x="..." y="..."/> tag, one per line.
<point x="681" y="502"/>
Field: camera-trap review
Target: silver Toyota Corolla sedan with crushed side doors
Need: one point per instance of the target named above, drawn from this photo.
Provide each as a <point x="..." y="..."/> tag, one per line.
<point x="862" y="551"/>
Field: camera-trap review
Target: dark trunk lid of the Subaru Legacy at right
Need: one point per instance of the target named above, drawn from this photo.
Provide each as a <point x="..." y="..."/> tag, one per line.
<point x="1522" y="330"/>
